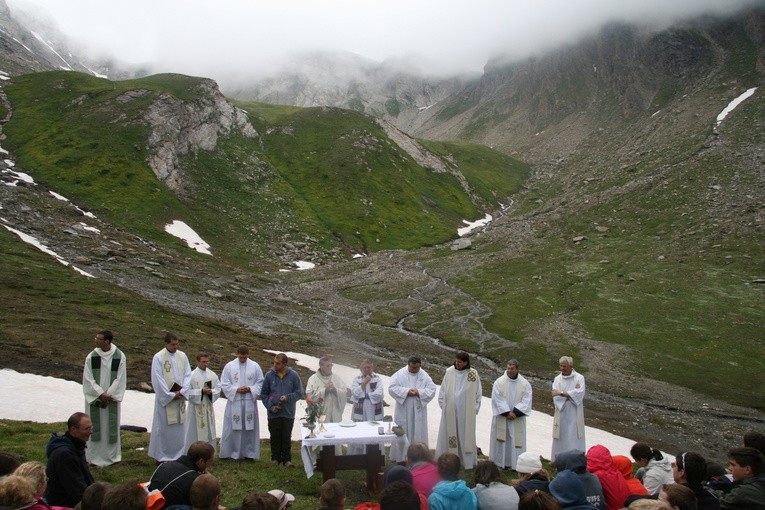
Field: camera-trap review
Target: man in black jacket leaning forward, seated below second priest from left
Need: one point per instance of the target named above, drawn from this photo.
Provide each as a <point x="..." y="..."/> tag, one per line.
<point x="174" y="478"/>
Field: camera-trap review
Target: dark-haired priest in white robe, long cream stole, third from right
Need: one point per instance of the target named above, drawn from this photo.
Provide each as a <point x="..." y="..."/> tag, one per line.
<point x="459" y="400"/>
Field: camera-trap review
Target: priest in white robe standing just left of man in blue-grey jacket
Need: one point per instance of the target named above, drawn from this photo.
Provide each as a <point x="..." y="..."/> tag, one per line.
<point x="241" y="382"/>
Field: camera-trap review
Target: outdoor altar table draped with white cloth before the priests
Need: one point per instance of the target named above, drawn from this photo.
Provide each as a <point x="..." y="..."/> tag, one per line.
<point x="371" y="434"/>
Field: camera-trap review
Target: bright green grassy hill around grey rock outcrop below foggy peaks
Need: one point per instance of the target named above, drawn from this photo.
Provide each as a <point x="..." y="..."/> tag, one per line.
<point x="328" y="177"/>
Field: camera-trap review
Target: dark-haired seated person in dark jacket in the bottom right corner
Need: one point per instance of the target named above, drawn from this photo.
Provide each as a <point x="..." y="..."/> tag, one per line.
<point x="746" y="465"/>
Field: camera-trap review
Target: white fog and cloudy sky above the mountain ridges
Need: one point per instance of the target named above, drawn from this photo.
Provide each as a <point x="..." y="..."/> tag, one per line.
<point x="240" y="40"/>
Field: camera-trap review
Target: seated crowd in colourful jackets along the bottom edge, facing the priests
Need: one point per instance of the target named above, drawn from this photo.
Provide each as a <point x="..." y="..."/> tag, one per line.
<point x="592" y="480"/>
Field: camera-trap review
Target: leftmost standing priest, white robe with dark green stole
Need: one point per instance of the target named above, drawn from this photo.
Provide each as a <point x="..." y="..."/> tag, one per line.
<point x="104" y="380"/>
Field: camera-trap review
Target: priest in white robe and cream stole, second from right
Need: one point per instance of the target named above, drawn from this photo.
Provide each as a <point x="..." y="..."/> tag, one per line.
<point x="510" y="405"/>
